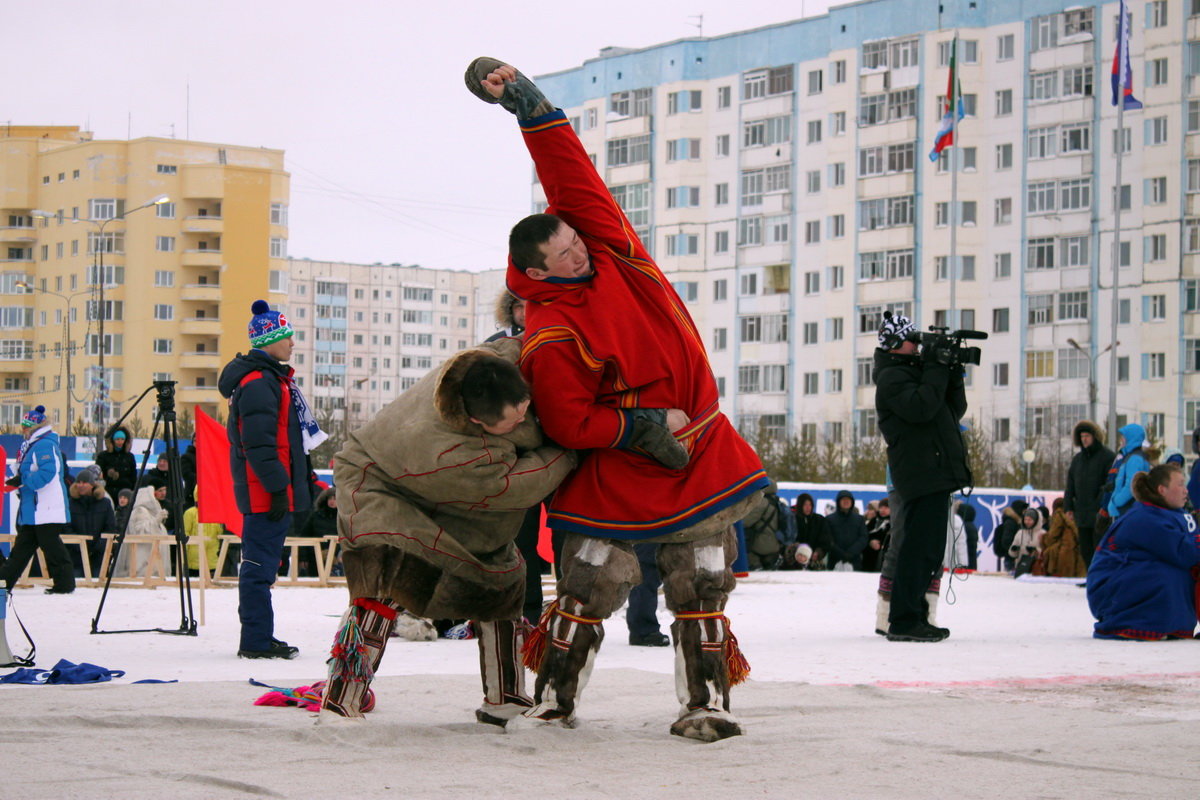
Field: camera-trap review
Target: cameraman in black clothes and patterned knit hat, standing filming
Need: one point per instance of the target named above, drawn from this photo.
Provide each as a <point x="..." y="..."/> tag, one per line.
<point x="920" y="401"/>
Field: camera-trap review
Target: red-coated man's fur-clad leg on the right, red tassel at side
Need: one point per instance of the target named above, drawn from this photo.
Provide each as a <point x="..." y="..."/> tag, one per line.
<point x="697" y="582"/>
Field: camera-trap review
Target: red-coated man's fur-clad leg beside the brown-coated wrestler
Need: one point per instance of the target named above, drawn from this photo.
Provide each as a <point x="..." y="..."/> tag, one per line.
<point x="596" y="581"/>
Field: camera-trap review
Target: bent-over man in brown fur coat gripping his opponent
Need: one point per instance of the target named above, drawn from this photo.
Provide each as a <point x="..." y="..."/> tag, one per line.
<point x="430" y="497"/>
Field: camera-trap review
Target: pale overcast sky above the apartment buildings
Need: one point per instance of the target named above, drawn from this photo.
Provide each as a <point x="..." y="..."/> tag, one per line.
<point x="391" y="159"/>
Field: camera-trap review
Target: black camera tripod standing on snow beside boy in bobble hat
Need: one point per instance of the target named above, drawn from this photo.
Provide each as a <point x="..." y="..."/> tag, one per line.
<point x="166" y="418"/>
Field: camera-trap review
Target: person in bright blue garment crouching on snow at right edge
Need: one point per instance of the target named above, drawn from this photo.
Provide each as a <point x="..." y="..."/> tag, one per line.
<point x="1143" y="580"/>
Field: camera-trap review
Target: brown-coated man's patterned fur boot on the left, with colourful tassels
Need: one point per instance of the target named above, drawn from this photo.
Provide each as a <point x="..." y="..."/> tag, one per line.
<point x="362" y="639"/>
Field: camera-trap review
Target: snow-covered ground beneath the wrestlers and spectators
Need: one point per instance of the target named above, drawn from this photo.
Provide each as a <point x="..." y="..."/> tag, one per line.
<point x="1019" y="702"/>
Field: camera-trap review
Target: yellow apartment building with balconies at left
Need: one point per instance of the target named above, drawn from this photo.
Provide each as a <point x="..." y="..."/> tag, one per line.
<point x="123" y="263"/>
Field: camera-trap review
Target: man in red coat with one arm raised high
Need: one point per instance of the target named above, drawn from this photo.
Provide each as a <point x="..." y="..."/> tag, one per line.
<point x="619" y="370"/>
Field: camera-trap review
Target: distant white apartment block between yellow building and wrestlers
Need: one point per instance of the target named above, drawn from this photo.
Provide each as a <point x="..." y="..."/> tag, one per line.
<point x="365" y="333"/>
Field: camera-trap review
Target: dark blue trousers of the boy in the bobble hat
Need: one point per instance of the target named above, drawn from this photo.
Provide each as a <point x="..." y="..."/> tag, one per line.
<point x="262" y="551"/>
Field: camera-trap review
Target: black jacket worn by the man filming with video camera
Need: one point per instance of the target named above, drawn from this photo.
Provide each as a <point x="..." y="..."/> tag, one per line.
<point x="920" y="406"/>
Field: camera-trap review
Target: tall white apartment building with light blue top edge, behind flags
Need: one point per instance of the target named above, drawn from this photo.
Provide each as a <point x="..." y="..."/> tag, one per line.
<point x="782" y="178"/>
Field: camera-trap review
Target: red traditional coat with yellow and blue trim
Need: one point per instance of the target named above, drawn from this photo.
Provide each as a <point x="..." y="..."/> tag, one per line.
<point x="616" y="341"/>
